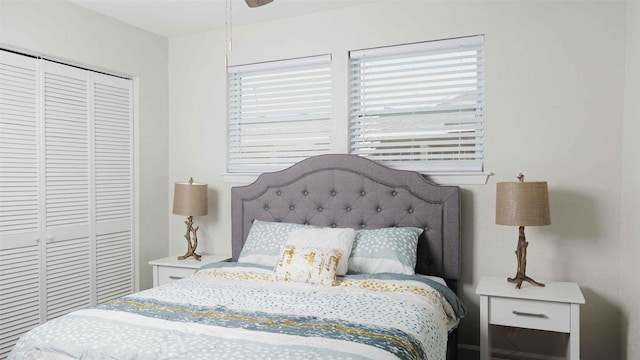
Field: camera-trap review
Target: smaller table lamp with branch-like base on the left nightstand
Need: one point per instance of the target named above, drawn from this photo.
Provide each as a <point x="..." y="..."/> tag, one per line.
<point x="190" y="199"/>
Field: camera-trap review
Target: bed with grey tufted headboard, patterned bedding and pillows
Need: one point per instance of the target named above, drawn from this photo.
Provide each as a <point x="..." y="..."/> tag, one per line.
<point x="394" y="296"/>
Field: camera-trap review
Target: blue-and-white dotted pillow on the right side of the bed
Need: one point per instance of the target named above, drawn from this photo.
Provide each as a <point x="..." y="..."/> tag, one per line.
<point x="390" y="250"/>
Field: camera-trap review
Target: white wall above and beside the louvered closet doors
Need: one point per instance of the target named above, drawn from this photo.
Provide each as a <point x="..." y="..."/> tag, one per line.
<point x="66" y="31"/>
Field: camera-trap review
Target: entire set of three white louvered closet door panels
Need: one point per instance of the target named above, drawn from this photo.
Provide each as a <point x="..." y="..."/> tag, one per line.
<point x="66" y="191"/>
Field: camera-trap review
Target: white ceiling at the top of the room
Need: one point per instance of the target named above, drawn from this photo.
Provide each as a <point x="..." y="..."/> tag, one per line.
<point x="182" y="17"/>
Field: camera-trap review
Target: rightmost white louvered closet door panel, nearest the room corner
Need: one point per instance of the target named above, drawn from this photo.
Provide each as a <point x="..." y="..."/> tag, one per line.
<point x="113" y="186"/>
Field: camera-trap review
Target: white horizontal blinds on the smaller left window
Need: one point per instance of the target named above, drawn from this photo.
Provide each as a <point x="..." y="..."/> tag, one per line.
<point x="279" y="113"/>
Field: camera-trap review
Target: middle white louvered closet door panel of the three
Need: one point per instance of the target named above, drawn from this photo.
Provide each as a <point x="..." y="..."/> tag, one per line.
<point x="67" y="189"/>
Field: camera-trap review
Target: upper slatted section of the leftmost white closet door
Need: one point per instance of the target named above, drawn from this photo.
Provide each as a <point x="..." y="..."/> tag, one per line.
<point x="18" y="151"/>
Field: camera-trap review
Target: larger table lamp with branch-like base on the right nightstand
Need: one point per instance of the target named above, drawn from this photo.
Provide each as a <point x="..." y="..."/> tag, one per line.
<point x="522" y="204"/>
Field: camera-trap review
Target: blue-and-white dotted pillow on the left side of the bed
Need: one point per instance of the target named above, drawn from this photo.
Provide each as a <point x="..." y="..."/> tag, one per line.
<point x="264" y="239"/>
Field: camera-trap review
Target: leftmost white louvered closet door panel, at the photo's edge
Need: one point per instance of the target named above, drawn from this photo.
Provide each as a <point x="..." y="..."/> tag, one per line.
<point x="19" y="249"/>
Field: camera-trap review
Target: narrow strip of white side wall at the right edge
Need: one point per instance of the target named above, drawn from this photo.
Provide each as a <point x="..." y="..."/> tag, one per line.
<point x="630" y="237"/>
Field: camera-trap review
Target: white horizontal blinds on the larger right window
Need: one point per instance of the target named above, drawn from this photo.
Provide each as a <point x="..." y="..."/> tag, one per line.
<point x="419" y="106"/>
